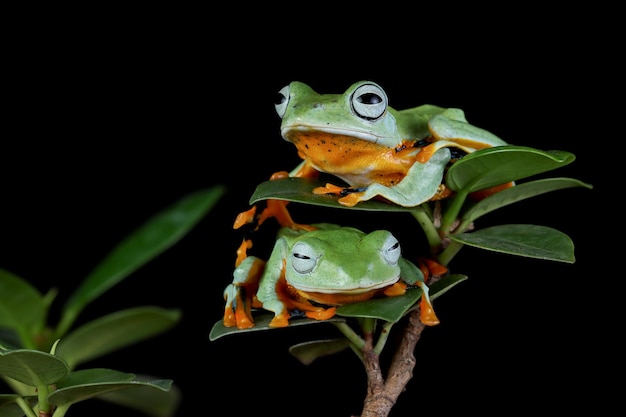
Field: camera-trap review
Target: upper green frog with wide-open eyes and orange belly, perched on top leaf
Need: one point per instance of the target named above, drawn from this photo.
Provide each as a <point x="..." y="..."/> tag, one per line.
<point x="396" y="155"/>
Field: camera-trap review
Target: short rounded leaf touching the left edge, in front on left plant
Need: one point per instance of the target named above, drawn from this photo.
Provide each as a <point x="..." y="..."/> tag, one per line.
<point x="32" y="367"/>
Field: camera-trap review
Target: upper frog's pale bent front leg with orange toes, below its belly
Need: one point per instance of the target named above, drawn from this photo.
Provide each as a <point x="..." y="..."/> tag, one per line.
<point x="421" y="184"/>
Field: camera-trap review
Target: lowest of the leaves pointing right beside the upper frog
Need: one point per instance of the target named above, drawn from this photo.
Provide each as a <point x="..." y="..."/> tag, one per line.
<point x="526" y="240"/>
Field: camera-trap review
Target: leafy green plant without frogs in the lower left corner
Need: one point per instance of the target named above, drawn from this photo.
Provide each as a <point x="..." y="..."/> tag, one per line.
<point x="40" y="361"/>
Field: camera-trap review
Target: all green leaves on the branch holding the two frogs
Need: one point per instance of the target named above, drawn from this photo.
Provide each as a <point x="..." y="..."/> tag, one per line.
<point x="448" y="226"/>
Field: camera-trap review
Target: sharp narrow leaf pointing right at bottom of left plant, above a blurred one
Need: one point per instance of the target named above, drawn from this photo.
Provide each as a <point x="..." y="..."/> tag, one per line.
<point x="89" y="383"/>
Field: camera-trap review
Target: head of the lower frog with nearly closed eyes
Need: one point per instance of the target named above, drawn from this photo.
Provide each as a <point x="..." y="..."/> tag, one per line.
<point x="342" y="265"/>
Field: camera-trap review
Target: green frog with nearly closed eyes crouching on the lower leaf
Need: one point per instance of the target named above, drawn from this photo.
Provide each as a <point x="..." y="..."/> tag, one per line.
<point x="316" y="271"/>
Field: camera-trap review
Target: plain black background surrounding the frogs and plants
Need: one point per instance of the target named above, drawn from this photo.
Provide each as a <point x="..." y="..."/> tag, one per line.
<point x="105" y="126"/>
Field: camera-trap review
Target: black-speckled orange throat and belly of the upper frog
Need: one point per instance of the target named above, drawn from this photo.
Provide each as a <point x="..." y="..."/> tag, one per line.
<point x="356" y="161"/>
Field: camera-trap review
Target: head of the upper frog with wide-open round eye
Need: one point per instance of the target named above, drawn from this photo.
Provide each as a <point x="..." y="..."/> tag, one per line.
<point x="361" y="112"/>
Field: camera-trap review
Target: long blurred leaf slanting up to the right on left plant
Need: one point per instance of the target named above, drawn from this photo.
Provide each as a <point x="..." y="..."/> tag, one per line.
<point x="155" y="236"/>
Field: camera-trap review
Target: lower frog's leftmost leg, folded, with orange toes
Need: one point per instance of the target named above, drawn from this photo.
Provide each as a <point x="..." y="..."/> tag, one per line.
<point x="240" y="295"/>
